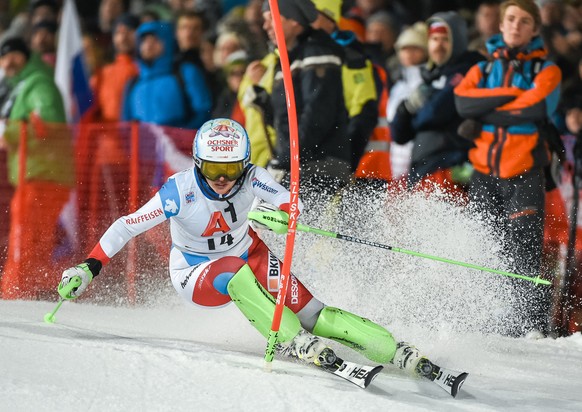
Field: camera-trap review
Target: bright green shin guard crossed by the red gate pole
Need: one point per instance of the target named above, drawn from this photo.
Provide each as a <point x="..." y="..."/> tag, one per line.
<point x="258" y="305"/>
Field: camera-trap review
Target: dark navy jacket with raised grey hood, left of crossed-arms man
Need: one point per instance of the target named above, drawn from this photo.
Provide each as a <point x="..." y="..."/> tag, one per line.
<point x="434" y="126"/>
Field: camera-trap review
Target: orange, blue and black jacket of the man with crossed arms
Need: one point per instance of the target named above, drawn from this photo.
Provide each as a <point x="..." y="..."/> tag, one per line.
<point x="510" y="100"/>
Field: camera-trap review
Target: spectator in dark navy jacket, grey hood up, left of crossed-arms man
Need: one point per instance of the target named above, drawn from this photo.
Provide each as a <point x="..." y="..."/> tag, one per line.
<point x="428" y="115"/>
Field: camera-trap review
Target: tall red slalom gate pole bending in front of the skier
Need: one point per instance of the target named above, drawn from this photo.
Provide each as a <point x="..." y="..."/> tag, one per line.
<point x="294" y="186"/>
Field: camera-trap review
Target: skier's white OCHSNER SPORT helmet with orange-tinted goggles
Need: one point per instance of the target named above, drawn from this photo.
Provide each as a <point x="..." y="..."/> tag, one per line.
<point x="221" y="148"/>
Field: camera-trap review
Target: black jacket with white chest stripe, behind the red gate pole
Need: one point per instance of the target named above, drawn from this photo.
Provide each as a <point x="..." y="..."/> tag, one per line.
<point x="316" y="63"/>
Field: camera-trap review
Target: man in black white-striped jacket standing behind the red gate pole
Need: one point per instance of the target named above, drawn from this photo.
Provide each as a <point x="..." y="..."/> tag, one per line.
<point x="322" y="117"/>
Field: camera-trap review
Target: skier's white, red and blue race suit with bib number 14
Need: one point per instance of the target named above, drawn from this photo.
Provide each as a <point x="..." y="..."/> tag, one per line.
<point x="206" y="229"/>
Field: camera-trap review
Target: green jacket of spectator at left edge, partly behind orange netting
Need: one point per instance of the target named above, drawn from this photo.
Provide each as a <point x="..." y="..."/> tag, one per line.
<point x="36" y="99"/>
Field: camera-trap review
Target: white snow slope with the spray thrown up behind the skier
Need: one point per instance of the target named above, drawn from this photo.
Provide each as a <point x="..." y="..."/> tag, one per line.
<point x="163" y="354"/>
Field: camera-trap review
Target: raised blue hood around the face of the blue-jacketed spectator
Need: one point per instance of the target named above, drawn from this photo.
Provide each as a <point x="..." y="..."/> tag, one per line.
<point x="164" y="63"/>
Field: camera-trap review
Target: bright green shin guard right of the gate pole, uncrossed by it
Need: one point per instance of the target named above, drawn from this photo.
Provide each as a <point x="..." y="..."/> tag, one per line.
<point x="360" y="334"/>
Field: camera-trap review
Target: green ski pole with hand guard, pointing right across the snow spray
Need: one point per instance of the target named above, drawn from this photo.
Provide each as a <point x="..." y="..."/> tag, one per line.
<point x="275" y="221"/>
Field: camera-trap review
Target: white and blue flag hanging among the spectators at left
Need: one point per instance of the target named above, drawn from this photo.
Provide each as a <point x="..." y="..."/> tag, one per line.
<point x="71" y="74"/>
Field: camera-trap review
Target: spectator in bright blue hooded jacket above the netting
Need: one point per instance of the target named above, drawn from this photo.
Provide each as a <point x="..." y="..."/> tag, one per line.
<point x="163" y="94"/>
